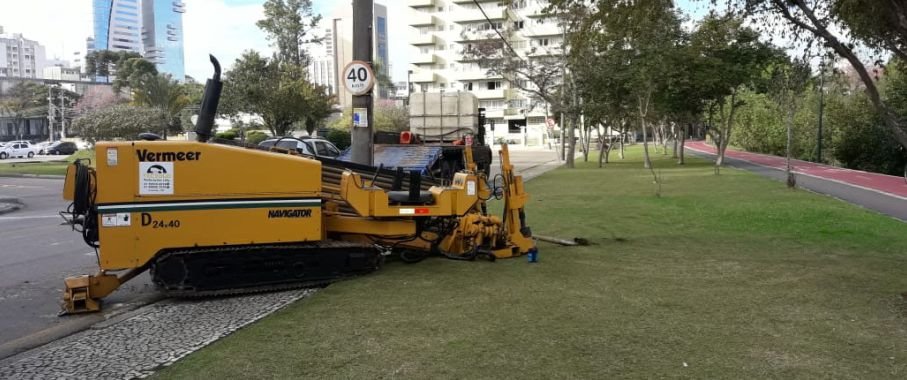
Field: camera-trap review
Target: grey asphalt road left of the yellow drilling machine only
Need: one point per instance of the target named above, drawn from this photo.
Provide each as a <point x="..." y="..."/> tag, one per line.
<point x="36" y="253"/>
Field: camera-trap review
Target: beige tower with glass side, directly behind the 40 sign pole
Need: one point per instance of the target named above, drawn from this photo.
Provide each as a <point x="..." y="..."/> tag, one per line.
<point x="336" y="51"/>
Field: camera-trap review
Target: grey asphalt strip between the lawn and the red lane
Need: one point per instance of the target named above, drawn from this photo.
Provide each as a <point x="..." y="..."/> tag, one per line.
<point x="883" y="200"/>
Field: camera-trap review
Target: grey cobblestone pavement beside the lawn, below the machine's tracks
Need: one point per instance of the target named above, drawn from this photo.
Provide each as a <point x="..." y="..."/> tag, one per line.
<point x="154" y="336"/>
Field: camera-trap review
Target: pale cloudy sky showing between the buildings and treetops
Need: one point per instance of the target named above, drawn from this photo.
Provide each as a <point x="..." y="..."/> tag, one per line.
<point x="224" y="28"/>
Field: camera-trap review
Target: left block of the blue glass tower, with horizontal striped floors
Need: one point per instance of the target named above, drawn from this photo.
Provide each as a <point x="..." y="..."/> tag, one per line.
<point x="118" y="25"/>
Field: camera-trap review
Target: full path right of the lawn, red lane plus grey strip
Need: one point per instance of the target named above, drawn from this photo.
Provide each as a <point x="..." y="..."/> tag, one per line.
<point x="883" y="193"/>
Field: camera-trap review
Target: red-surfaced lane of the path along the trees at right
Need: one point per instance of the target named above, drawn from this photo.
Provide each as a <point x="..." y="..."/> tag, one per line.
<point x="893" y="186"/>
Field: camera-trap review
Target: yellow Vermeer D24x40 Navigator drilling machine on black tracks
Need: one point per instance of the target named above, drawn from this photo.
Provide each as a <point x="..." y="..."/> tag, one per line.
<point x="211" y="219"/>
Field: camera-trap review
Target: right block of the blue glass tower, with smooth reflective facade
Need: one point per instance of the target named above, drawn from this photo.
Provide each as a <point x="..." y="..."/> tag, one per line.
<point x="162" y="33"/>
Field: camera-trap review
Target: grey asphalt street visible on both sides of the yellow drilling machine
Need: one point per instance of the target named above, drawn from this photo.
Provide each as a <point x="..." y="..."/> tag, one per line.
<point x="37" y="251"/>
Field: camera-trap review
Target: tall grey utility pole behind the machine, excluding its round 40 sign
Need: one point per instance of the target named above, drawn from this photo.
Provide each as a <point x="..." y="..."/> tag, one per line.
<point x="362" y="136"/>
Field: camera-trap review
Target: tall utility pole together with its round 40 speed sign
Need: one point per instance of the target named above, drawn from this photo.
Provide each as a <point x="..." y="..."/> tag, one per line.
<point x="359" y="80"/>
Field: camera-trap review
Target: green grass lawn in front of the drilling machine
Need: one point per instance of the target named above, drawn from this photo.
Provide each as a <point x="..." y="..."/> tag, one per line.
<point x="729" y="276"/>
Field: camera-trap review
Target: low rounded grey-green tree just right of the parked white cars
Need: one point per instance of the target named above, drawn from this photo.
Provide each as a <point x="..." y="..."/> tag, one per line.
<point x="118" y="122"/>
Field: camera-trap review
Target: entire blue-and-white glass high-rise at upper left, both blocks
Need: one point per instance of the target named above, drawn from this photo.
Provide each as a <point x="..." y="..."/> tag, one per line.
<point x="152" y="28"/>
